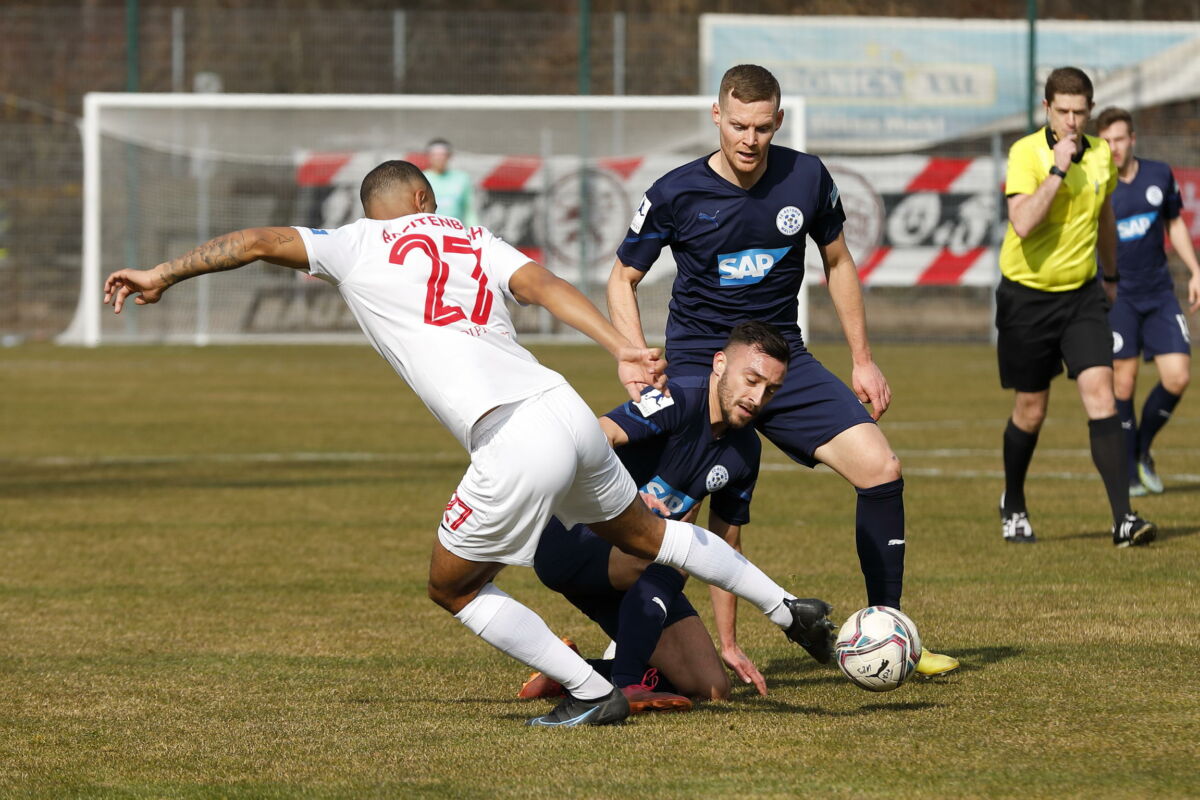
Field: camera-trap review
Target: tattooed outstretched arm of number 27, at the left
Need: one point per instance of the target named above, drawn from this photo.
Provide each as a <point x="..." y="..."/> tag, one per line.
<point x="281" y="246"/>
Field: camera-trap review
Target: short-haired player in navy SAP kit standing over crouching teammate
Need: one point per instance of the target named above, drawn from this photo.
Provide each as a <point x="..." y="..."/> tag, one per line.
<point x="736" y="222"/>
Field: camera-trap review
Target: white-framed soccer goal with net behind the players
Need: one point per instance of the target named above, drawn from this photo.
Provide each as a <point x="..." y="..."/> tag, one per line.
<point x="559" y="177"/>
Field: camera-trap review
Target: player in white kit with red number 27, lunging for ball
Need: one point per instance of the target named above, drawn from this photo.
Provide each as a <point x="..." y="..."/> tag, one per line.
<point x="429" y="293"/>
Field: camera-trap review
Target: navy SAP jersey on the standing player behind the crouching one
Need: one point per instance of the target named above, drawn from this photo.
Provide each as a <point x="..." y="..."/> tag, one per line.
<point x="740" y="254"/>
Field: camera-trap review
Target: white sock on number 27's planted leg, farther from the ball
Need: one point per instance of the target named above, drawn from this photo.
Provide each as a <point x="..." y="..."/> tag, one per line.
<point x="515" y="630"/>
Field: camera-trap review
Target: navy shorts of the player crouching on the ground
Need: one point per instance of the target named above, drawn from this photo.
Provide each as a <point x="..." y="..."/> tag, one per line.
<point x="575" y="564"/>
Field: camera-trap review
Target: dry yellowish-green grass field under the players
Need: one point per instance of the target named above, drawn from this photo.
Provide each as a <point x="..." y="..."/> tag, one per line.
<point x="213" y="585"/>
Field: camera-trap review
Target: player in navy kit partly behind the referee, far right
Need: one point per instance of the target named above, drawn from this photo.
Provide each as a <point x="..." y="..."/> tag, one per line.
<point x="1147" y="317"/>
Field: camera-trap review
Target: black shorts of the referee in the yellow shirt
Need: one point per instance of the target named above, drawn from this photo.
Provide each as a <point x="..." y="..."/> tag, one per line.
<point x="1041" y="330"/>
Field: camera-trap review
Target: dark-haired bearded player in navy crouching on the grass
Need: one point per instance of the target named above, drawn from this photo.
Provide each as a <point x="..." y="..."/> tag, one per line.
<point x="697" y="443"/>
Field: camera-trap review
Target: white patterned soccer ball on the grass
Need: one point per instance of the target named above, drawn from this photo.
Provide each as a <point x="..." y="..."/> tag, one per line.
<point x="878" y="648"/>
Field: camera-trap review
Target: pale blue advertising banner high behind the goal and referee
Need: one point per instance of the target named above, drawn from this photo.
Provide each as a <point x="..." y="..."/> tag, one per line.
<point x="892" y="85"/>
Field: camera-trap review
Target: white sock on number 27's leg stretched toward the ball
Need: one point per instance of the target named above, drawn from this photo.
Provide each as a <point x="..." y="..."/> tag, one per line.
<point x="710" y="558"/>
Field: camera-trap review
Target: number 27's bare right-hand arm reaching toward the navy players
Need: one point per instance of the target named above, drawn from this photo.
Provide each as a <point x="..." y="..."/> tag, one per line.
<point x="638" y="366"/>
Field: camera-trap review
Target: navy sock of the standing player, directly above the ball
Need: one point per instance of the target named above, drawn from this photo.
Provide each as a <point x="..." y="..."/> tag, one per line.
<point x="879" y="533"/>
